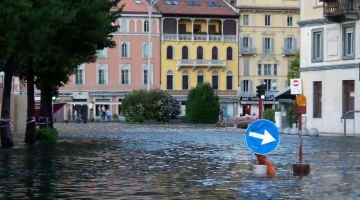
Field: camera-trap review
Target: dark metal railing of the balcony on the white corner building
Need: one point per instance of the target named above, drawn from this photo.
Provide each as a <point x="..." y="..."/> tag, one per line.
<point x="340" y="7"/>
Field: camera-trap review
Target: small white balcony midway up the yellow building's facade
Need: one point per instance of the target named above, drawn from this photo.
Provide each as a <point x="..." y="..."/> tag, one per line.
<point x="201" y="63"/>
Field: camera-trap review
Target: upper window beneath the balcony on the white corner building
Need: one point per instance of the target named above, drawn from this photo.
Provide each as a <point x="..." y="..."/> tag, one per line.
<point x="349" y="41"/>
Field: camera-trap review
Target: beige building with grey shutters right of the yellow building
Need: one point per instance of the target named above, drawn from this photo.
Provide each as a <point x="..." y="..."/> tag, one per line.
<point x="269" y="39"/>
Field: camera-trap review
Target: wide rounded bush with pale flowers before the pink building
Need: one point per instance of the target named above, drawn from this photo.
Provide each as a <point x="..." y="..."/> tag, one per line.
<point x="156" y="104"/>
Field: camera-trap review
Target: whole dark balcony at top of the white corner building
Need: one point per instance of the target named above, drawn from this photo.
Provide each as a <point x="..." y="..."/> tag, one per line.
<point x="341" y="10"/>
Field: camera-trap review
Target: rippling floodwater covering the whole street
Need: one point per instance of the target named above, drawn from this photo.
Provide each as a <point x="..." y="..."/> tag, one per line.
<point x="116" y="161"/>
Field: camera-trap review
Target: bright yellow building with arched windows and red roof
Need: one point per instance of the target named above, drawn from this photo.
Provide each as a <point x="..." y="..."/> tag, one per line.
<point x="199" y="44"/>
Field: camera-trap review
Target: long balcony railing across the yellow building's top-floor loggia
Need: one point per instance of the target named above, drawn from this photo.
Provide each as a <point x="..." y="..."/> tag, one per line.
<point x="199" y="37"/>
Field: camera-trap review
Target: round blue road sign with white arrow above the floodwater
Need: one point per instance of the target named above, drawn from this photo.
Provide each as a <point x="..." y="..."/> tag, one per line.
<point x="262" y="136"/>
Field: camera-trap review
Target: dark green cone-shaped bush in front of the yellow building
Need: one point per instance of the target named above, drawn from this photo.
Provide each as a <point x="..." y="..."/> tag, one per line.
<point x="202" y="105"/>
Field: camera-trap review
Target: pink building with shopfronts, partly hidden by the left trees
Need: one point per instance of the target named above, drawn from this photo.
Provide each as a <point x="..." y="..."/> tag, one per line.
<point x="102" y="85"/>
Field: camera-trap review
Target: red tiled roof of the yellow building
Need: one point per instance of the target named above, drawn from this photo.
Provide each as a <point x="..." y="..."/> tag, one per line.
<point x="215" y="8"/>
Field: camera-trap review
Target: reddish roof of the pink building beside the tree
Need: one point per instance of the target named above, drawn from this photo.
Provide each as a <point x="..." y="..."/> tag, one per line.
<point x="136" y="7"/>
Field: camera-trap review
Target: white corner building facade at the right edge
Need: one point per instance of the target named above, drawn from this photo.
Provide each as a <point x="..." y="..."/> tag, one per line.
<point x="329" y="63"/>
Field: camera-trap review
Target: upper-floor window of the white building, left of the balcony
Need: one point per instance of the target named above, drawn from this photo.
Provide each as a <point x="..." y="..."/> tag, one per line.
<point x="317" y="45"/>
